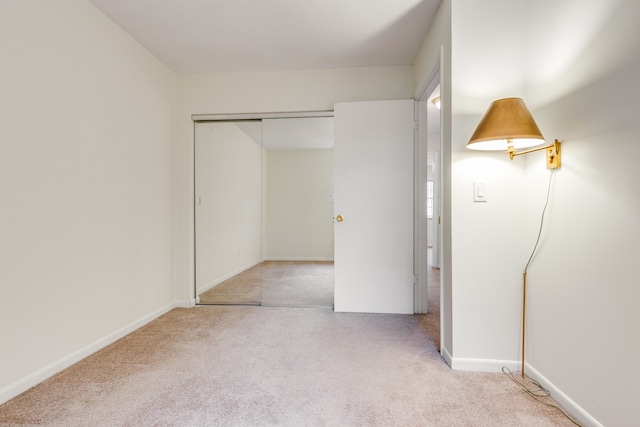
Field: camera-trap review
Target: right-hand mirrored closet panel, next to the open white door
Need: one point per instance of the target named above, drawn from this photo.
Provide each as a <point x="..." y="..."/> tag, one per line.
<point x="298" y="229"/>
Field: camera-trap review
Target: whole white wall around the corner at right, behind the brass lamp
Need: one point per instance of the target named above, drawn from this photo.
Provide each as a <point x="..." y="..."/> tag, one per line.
<point x="580" y="79"/>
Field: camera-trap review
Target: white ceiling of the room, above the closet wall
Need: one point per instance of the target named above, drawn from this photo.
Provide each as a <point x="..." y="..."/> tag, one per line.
<point x="207" y="36"/>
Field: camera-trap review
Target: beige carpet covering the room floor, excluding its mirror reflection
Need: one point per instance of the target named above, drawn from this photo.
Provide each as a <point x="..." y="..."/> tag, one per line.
<point x="260" y="366"/>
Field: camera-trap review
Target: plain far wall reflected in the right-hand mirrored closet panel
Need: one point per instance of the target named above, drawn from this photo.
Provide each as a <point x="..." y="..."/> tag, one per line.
<point x="299" y="214"/>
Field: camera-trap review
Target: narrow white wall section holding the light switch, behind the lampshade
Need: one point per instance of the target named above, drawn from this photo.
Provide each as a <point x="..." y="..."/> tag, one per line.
<point x="488" y="240"/>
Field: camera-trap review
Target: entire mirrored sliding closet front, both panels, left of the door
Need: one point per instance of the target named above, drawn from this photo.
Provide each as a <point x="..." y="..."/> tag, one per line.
<point x="272" y="178"/>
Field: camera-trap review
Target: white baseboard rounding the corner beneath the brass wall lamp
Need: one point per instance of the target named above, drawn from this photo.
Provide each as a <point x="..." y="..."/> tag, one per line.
<point x="489" y="365"/>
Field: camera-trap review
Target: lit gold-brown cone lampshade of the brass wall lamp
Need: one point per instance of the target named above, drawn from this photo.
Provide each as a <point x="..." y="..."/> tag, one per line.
<point x="507" y="122"/>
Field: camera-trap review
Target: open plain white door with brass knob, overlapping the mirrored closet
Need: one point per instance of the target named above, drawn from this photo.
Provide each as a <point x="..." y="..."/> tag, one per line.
<point x="373" y="194"/>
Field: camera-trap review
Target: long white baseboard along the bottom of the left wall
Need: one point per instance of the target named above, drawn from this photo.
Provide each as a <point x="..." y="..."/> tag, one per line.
<point x="20" y="386"/>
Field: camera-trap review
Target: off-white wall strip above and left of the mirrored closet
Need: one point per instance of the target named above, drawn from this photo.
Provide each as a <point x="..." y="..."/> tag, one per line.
<point x="274" y="91"/>
